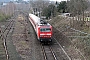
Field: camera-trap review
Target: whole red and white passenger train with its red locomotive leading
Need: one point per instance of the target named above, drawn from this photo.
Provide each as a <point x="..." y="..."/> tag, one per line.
<point x="42" y="29"/>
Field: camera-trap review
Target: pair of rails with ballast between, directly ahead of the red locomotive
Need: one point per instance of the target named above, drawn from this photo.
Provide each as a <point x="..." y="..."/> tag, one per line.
<point x="48" y="53"/>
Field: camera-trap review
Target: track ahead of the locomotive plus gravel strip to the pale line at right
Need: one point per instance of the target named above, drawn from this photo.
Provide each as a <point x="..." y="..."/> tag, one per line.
<point x="54" y="51"/>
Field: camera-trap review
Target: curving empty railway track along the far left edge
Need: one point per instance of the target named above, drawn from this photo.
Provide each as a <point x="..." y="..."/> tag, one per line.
<point x="4" y="34"/>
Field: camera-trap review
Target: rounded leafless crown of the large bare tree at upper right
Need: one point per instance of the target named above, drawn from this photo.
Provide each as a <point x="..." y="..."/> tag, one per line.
<point x="77" y="7"/>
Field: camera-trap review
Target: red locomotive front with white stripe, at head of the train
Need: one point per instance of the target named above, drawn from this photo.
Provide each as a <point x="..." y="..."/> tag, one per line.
<point x="45" y="32"/>
